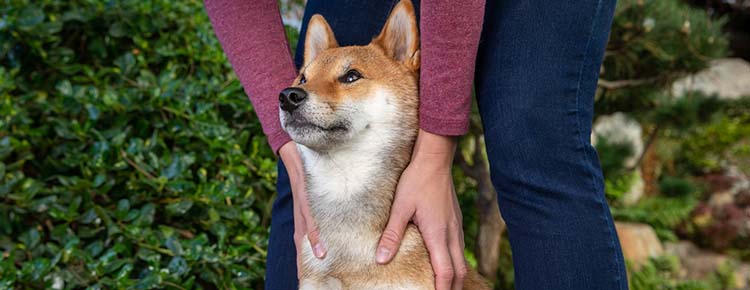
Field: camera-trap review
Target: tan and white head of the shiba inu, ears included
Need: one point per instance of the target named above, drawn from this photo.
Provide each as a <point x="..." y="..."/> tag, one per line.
<point x="344" y="95"/>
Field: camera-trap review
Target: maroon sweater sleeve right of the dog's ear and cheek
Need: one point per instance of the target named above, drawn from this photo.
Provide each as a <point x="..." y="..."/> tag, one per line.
<point x="450" y="33"/>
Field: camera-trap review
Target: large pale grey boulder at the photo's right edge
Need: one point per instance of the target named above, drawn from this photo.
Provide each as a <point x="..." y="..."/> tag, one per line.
<point x="727" y="78"/>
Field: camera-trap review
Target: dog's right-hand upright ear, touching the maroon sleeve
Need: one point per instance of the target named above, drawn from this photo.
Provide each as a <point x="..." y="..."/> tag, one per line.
<point x="400" y="35"/>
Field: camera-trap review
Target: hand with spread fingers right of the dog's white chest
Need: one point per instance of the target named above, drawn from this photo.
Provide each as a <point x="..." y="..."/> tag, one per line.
<point x="426" y="196"/>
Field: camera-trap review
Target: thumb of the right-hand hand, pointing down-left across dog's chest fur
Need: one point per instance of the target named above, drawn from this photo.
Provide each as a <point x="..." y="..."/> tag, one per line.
<point x="390" y="241"/>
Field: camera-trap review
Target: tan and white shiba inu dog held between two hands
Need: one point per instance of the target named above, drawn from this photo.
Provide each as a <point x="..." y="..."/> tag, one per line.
<point x="353" y="113"/>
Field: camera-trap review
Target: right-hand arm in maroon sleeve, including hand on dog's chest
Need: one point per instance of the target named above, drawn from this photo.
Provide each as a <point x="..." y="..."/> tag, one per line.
<point x="450" y="32"/>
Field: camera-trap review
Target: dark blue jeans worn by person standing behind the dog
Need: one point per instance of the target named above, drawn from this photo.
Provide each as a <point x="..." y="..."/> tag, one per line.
<point x="537" y="69"/>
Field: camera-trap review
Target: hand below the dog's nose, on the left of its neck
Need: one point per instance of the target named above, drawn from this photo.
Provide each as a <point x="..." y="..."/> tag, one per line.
<point x="303" y="221"/>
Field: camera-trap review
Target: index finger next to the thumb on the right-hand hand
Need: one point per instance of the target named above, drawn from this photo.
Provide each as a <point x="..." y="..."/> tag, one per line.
<point x="437" y="244"/>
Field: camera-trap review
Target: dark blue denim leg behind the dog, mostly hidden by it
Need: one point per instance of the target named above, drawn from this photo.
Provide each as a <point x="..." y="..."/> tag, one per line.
<point x="353" y="23"/>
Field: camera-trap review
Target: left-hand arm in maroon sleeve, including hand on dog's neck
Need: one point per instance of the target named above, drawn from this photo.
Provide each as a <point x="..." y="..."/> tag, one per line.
<point x="253" y="38"/>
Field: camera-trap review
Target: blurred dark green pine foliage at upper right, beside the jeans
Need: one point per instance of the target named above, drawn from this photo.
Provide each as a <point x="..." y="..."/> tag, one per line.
<point x="652" y="43"/>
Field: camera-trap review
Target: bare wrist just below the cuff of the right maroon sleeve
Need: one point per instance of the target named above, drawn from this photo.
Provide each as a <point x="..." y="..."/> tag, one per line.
<point x="433" y="149"/>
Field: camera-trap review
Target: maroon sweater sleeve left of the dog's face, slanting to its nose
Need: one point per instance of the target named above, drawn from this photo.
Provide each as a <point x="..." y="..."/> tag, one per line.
<point x="253" y="38"/>
